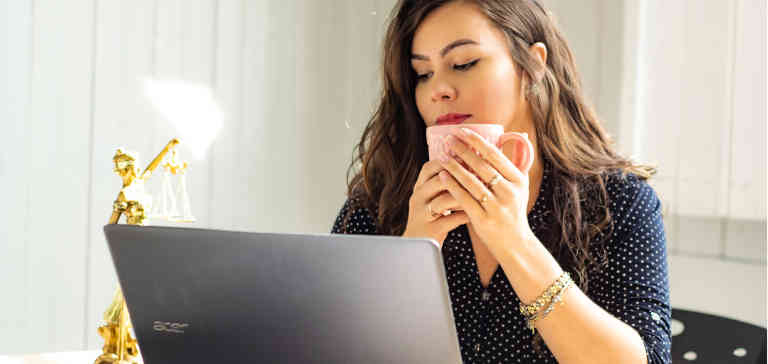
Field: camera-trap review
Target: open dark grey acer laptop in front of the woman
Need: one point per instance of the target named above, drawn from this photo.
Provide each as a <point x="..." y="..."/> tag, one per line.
<point x="213" y="296"/>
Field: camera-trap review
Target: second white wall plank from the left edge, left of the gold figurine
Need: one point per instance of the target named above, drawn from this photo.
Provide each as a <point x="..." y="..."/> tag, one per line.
<point x="57" y="153"/>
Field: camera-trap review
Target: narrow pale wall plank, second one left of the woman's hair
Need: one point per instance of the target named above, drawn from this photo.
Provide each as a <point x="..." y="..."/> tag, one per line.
<point x="269" y="117"/>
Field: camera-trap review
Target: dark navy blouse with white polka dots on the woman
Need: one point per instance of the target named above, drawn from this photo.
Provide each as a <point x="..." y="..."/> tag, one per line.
<point x="633" y="286"/>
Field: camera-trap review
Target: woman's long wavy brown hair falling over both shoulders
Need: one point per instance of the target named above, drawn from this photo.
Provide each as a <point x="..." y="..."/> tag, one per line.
<point x="570" y="137"/>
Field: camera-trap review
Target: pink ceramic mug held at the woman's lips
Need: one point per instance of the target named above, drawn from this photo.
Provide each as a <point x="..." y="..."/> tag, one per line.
<point x="522" y="156"/>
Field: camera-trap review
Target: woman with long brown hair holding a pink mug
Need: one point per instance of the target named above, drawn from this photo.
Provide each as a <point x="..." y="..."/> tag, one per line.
<point x="514" y="231"/>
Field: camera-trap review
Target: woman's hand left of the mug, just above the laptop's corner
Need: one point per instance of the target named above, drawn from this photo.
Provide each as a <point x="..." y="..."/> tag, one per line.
<point x="428" y="207"/>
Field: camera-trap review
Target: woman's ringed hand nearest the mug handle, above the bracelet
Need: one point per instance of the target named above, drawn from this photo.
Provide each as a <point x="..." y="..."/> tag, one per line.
<point x="494" y="194"/>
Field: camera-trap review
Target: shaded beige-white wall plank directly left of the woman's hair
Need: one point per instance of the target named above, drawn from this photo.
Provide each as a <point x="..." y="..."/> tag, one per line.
<point x="344" y="39"/>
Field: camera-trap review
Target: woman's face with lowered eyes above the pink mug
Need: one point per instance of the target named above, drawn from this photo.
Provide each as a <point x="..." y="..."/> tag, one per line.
<point x="463" y="65"/>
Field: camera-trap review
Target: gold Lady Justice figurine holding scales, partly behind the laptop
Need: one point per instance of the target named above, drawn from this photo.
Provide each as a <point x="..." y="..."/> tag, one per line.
<point x="120" y="346"/>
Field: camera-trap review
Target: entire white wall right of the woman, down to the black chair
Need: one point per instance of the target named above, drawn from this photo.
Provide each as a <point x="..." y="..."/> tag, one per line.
<point x="681" y="84"/>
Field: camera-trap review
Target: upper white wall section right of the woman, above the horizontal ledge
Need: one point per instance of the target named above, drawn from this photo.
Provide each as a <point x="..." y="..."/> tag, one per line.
<point x="681" y="85"/>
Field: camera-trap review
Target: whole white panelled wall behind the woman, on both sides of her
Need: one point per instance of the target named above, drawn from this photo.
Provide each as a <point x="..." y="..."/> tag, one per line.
<point x="297" y="81"/>
